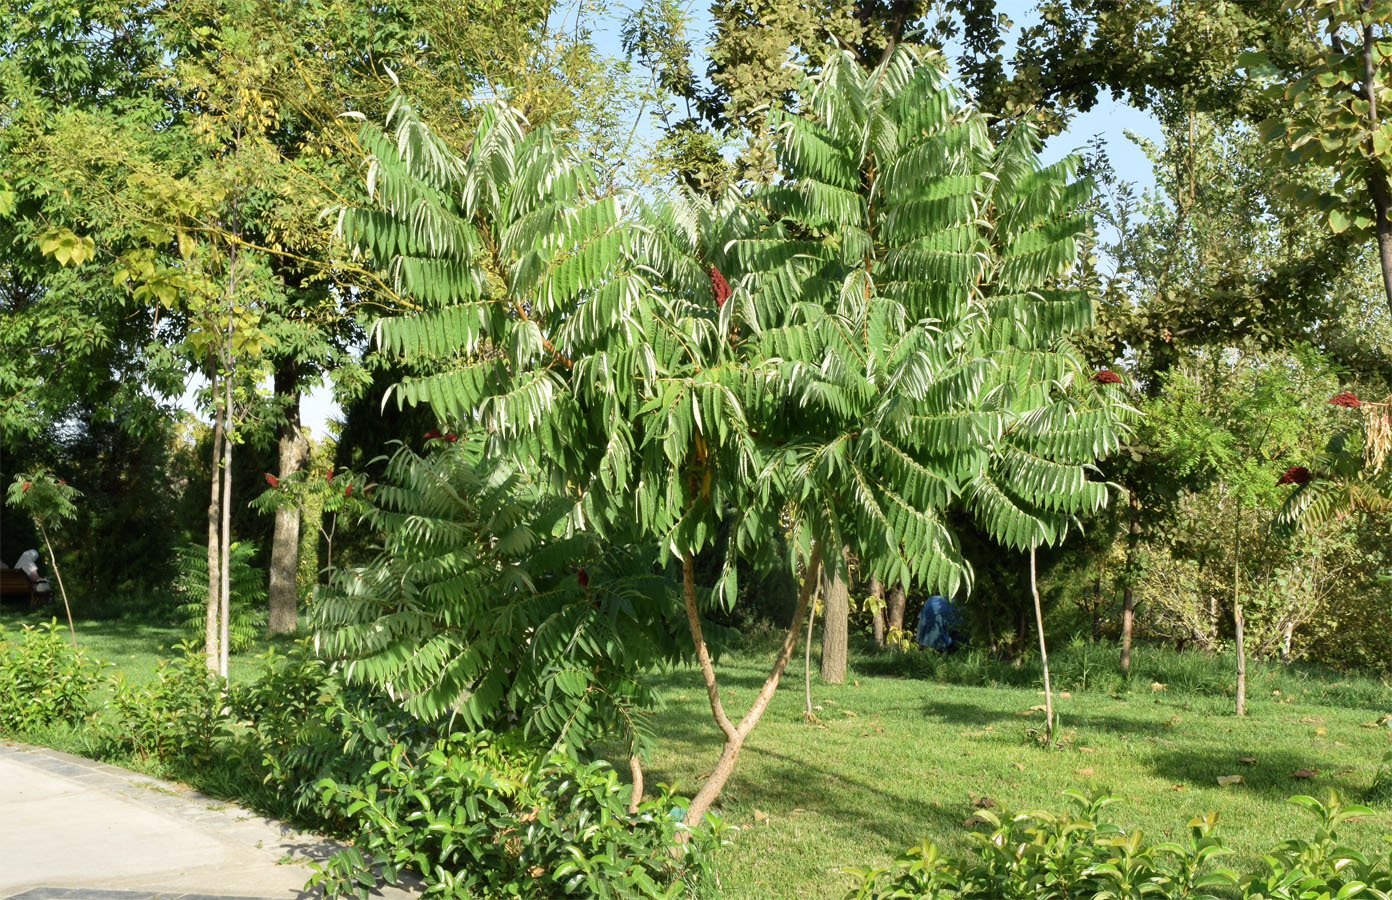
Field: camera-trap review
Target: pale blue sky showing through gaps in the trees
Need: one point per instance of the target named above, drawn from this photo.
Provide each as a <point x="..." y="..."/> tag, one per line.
<point x="1110" y="119"/>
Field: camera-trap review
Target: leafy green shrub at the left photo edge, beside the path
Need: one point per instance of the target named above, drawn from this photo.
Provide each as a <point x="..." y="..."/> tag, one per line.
<point x="44" y="681"/>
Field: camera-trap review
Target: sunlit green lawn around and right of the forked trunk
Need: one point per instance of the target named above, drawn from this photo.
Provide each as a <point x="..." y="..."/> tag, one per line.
<point x="896" y="760"/>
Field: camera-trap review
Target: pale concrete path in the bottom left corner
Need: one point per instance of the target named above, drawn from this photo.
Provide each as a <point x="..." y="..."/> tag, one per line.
<point x="76" y="830"/>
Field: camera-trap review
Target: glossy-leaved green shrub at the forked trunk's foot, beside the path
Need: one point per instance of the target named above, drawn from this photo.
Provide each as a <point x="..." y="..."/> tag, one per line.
<point x="482" y="819"/>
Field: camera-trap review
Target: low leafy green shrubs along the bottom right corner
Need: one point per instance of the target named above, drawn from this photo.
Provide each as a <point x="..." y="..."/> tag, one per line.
<point x="1078" y="853"/>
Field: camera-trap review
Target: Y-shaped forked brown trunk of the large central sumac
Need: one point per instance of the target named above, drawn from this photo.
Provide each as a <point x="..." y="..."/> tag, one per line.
<point x="736" y="734"/>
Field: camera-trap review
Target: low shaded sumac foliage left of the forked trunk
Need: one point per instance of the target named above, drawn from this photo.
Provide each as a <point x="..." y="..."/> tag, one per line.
<point x="481" y="606"/>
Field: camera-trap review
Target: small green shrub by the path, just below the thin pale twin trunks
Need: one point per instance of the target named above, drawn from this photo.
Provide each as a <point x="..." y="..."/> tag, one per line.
<point x="180" y="717"/>
